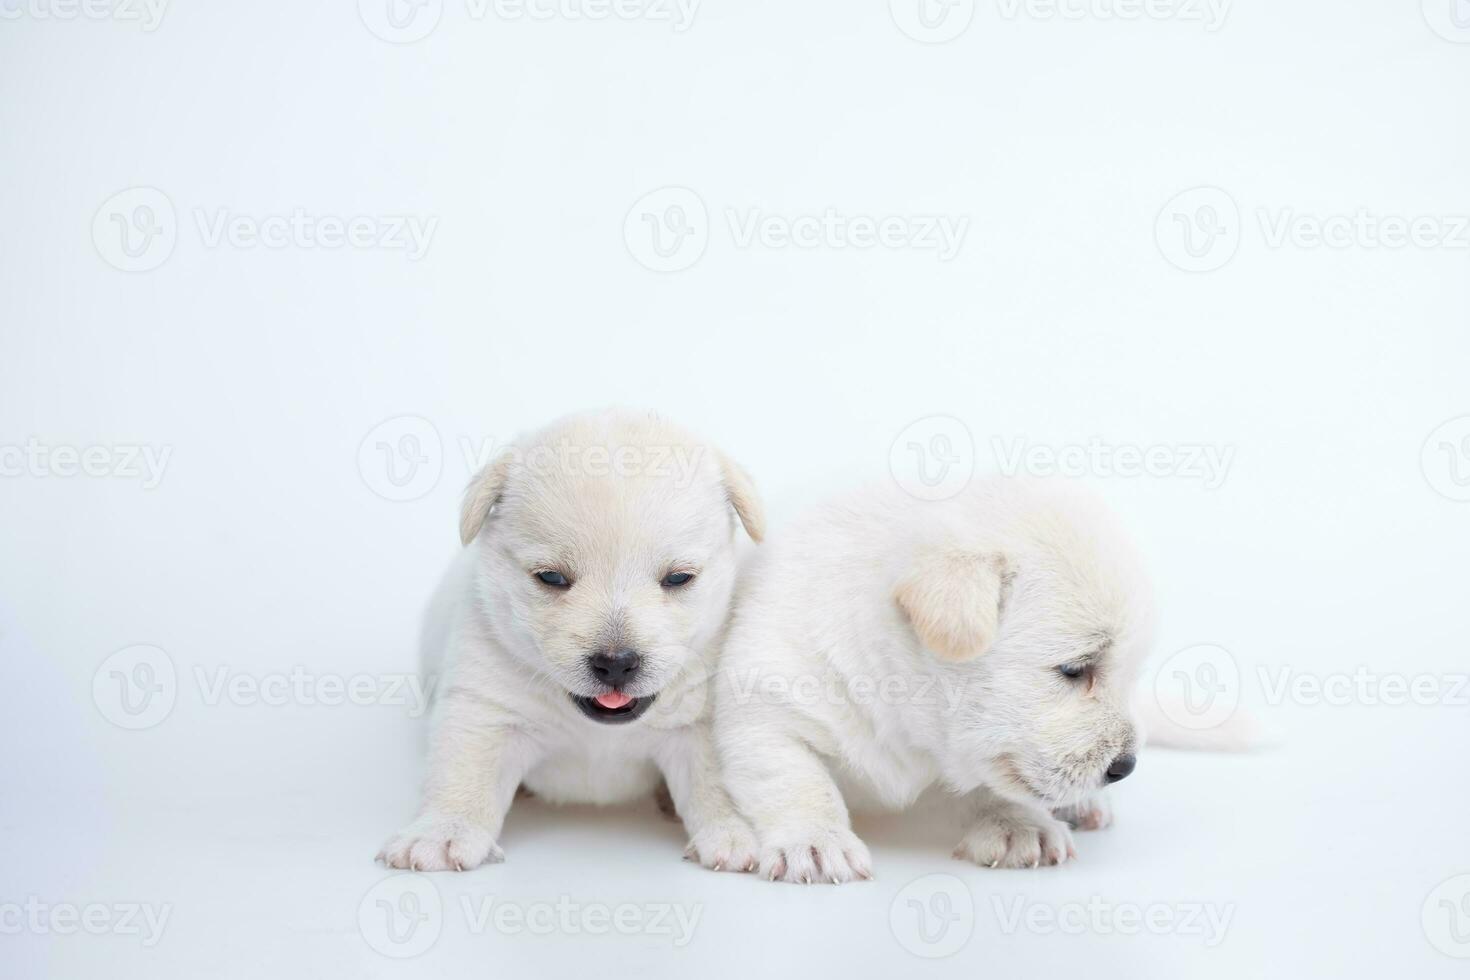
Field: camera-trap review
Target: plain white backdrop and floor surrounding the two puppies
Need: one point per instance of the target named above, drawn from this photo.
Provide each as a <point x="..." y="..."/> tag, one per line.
<point x="1337" y="540"/>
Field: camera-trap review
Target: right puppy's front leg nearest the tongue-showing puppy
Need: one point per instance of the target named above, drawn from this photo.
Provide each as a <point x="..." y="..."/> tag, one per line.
<point x="799" y="813"/>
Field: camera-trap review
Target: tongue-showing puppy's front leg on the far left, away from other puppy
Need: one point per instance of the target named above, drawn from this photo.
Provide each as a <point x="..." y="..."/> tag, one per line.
<point x="477" y="760"/>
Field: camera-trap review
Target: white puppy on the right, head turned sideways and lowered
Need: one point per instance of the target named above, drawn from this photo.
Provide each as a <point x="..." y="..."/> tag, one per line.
<point x="986" y="646"/>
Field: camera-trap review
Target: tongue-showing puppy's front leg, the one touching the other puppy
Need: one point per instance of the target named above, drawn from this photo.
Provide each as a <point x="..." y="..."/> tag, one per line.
<point x="720" y="837"/>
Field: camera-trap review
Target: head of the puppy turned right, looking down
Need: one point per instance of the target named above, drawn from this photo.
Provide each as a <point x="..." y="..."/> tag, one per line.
<point x="1040" y="637"/>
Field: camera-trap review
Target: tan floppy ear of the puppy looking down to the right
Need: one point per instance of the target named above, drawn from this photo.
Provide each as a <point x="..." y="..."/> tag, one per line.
<point x="953" y="600"/>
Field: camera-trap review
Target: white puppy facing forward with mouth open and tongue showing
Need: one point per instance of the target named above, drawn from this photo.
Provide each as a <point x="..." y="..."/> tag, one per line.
<point x="577" y="634"/>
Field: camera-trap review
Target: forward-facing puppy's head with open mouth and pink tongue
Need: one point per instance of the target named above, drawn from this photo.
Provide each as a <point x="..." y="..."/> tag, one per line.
<point x="606" y="546"/>
